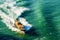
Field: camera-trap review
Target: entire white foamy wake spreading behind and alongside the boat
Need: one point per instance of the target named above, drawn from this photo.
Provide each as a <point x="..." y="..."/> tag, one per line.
<point x="13" y="12"/>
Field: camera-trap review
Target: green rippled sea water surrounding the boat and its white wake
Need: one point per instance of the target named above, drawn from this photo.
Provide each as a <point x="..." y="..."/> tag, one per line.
<point x="45" y="18"/>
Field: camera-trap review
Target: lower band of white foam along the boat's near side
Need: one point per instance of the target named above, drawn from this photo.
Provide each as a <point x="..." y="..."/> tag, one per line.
<point x="9" y="22"/>
